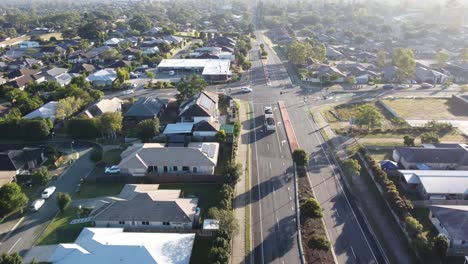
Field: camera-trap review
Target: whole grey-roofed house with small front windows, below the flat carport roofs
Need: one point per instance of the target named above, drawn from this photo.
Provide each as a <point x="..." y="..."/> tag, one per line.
<point x="196" y="158"/>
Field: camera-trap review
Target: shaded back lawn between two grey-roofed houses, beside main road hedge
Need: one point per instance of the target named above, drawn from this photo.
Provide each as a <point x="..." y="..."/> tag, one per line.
<point x="207" y="194"/>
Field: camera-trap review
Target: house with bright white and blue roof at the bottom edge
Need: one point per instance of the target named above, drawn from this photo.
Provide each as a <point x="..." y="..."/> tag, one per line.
<point x="113" y="245"/>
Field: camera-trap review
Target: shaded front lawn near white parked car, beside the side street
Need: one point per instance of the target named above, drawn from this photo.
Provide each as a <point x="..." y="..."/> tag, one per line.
<point x="92" y="190"/>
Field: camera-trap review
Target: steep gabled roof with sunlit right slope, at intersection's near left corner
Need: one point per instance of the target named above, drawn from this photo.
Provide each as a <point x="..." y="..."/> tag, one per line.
<point x="202" y="104"/>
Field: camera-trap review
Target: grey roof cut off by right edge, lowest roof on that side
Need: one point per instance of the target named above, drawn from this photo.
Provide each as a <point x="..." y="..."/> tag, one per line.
<point x="453" y="218"/>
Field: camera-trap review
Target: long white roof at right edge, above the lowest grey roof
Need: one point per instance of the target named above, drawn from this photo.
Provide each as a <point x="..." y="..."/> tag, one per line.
<point x="438" y="181"/>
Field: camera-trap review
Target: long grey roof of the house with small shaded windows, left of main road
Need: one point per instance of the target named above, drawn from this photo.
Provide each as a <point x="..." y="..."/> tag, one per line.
<point x="145" y="155"/>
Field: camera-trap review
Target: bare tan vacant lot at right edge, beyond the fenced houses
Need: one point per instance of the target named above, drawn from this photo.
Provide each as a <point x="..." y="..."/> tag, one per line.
<point x="427" y="108"/>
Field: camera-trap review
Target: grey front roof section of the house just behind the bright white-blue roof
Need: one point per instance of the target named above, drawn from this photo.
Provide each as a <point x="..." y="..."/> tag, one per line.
<point x="143" y="208"/>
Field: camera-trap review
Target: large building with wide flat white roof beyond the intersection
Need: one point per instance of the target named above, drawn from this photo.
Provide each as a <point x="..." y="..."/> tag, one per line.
<point x="210" y="69"/>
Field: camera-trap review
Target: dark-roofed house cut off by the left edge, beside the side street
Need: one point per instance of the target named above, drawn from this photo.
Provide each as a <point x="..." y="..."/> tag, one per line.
<point x="19" y="162"/>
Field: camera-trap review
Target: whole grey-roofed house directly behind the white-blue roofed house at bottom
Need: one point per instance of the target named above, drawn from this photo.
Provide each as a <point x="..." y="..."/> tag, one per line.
<point x="144" y="206"/>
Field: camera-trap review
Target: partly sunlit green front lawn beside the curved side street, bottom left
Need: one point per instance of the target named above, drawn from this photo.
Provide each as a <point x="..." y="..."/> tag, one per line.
<point x="60" y="231"/>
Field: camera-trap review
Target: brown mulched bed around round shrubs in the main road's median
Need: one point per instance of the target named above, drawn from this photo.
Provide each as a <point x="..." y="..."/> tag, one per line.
<point x="311" y="226"/>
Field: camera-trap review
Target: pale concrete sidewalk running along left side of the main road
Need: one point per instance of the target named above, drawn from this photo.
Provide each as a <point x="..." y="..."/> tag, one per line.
<point x="238" y="242"/>
